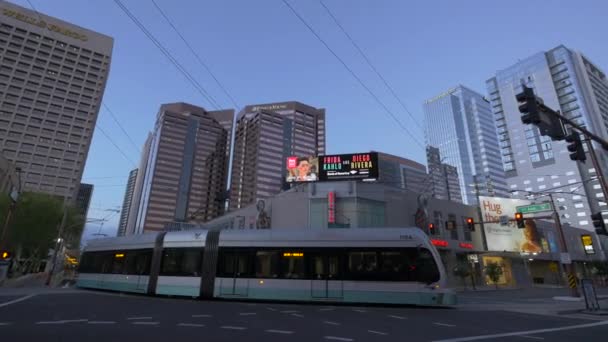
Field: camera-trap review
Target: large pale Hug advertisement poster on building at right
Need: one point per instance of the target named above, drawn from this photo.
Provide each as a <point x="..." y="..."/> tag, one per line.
<point x="508" y="237"/>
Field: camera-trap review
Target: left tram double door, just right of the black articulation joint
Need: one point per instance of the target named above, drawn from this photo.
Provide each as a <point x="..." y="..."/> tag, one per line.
<point x="236" y="264"/>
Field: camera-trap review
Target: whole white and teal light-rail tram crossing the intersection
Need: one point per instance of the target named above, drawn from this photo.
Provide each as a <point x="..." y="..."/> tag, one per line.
<point x="379" y="265"/>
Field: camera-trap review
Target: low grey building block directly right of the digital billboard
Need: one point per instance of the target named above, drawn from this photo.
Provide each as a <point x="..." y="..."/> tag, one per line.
<point x="402" y="173"/>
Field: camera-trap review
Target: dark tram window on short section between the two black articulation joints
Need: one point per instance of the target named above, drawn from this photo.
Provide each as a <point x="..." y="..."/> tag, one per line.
<point x="181" y="262"/>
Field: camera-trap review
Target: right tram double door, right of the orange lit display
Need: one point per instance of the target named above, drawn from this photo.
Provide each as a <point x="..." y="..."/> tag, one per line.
<point x="326" y="282"/>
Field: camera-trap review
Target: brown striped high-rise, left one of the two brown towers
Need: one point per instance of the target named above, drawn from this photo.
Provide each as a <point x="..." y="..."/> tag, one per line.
<point x="184" y="176"/>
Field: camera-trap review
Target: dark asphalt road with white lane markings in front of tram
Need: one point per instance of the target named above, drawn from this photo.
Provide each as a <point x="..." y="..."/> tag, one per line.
<point x="101" y="316"/>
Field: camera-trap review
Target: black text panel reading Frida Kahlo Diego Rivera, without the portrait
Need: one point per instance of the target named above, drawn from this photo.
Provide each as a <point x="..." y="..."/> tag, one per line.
<point x="354" y="166"/>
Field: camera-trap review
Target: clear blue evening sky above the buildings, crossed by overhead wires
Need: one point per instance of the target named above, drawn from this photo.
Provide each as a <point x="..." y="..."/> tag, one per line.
<point x="261" y="52"/>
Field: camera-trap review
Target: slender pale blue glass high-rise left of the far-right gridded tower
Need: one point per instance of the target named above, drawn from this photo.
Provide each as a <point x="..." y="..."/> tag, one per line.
<point x="460" y="124"/>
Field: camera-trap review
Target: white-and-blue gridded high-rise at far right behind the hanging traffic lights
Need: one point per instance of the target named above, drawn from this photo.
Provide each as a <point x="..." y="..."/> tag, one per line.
<point x="569" y="82"/>
